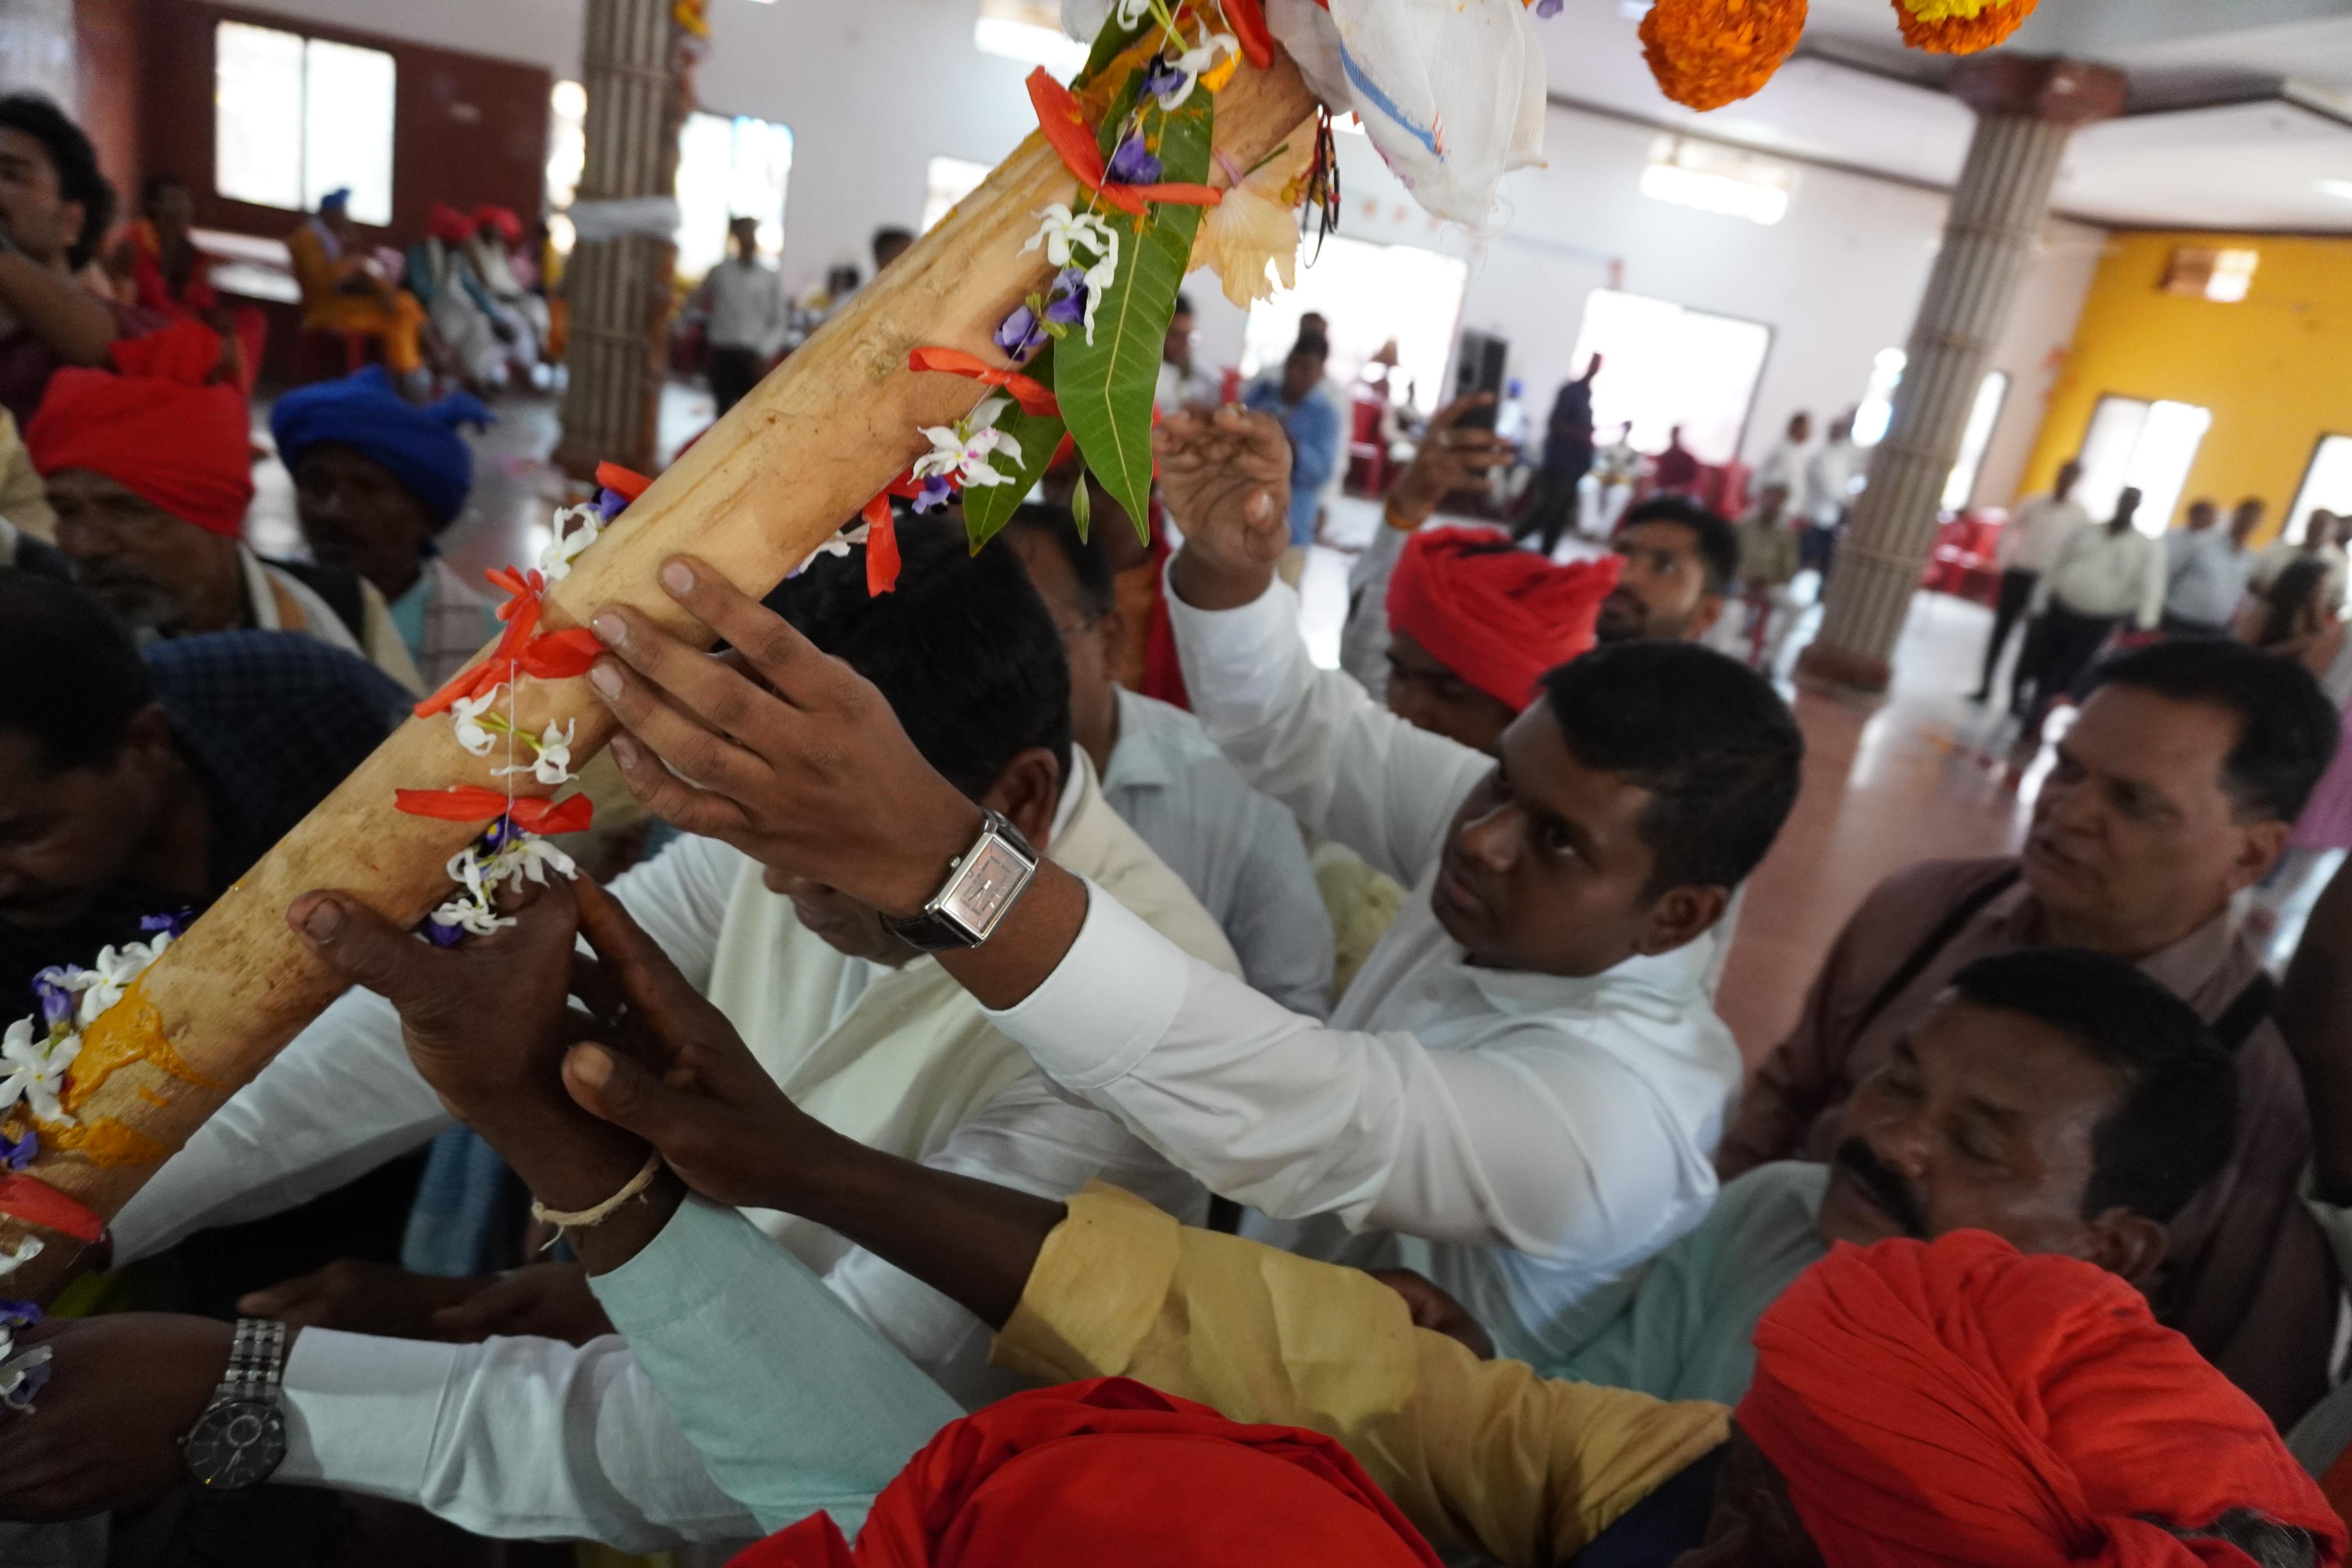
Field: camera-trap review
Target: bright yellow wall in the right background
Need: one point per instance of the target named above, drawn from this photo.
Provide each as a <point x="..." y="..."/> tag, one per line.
<point x="2276" y="368"/>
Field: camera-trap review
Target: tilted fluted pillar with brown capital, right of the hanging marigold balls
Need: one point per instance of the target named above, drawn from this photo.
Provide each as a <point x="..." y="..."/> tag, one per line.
<point x="2026" y="112"/>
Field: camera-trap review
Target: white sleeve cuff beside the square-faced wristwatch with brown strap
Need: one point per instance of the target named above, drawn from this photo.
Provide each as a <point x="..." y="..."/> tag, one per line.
<point x="1107" y="1005"/>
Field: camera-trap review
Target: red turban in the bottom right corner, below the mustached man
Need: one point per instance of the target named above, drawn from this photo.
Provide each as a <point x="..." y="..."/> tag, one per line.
<point x="1958" y="1402"/>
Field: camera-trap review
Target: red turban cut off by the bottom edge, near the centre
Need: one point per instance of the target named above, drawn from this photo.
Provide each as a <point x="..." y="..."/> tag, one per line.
<point x="1116" y="1475"/>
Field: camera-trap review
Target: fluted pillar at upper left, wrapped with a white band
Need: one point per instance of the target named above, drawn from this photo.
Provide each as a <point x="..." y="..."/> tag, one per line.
<point x="620" y="290"/>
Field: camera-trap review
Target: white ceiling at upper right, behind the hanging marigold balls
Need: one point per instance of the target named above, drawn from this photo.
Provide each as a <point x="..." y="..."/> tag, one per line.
<point x="2240" y="107"/>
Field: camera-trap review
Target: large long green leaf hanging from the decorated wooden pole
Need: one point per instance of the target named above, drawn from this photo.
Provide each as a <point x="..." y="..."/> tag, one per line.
<point x="1107" y="387"/>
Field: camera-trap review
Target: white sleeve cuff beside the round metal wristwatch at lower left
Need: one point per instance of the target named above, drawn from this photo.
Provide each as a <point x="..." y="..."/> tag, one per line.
<point x="363" y="1409"/>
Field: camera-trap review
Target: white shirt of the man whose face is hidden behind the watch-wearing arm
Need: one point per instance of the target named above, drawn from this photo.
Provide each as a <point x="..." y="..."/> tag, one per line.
<point x="537" y="1440"/>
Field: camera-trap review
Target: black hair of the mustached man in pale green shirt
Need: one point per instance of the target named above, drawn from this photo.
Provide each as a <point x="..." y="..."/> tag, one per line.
<point x="2177" y="1120"/>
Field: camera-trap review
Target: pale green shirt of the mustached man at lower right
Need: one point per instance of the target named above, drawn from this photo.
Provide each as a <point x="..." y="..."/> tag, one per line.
<point x="1685" y="1325"/>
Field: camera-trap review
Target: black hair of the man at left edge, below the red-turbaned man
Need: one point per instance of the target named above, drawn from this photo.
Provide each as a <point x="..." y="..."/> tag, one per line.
<point x="69" y="674"/>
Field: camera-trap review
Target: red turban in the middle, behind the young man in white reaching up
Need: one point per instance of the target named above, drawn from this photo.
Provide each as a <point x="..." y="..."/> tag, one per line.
<point x="1497" y="615"/>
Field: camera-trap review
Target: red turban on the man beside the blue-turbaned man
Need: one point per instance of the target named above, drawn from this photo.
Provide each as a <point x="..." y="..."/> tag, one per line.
<point x="161" y="429"/>
